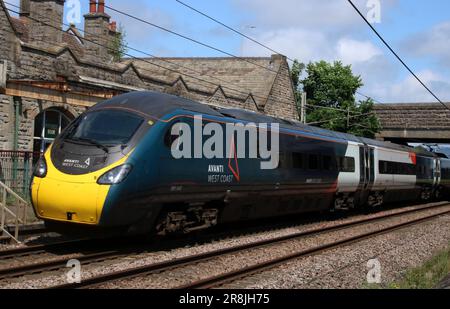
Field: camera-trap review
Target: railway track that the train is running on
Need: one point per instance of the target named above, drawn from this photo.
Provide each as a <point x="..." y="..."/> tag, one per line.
<point x="25" y="260"/>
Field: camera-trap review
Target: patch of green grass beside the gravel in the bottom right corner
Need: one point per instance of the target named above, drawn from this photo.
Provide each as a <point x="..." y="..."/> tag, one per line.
<point x="427" y="276"/>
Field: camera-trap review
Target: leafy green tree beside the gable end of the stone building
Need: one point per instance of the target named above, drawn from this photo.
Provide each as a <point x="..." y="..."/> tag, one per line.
<point x="331" y="103"/>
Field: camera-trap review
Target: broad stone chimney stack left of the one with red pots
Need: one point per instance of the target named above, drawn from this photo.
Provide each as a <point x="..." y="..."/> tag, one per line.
<point x="46" y="23"/>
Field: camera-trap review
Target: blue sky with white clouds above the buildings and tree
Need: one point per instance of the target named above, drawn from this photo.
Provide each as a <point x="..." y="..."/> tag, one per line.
<point x="307" y="30"/>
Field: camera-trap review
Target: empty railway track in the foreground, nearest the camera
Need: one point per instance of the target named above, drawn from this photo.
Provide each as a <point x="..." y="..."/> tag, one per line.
<point x="165" y="268"/>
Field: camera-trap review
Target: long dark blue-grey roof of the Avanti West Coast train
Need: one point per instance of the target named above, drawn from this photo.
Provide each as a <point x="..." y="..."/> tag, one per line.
<point x="157" y="105"/>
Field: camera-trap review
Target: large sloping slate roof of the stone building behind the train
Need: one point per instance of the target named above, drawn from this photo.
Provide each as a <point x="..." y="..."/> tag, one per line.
<point x="237" y="77"/>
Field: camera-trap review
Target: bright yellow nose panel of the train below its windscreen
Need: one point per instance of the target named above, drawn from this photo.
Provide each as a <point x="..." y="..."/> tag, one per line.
<point x="70" y="198"/>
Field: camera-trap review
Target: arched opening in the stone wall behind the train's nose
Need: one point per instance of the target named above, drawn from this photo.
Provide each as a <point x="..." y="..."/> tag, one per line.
<point x="47" y="125"/>
